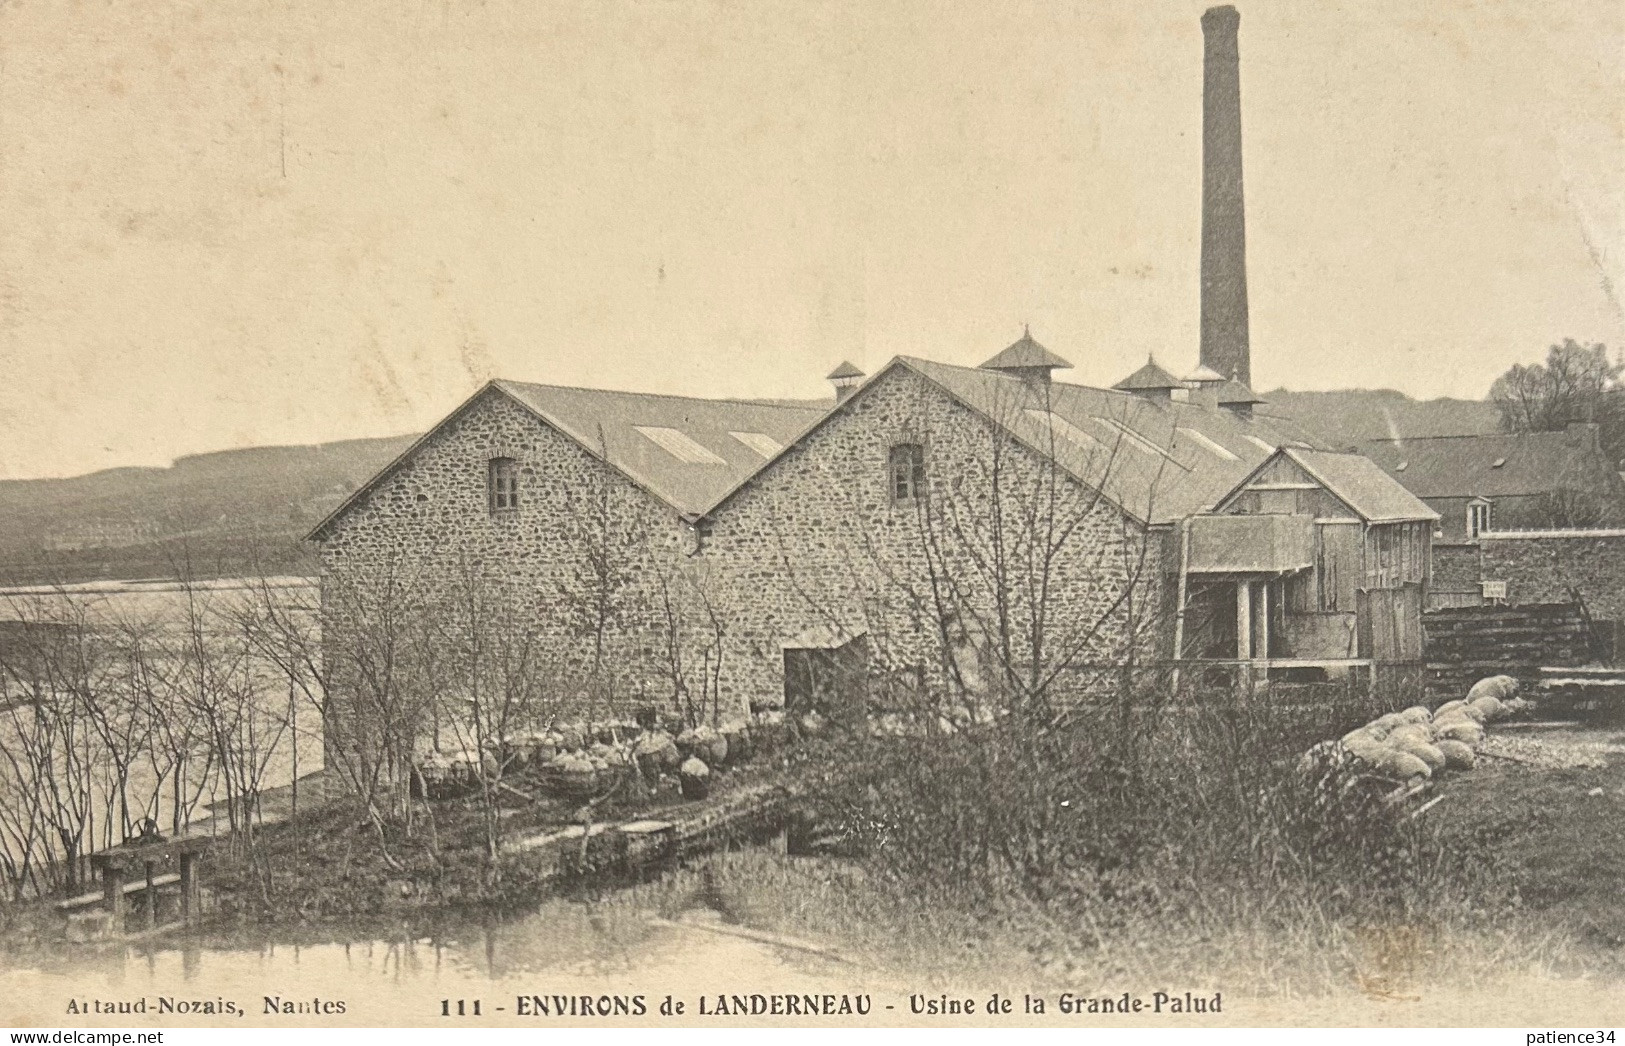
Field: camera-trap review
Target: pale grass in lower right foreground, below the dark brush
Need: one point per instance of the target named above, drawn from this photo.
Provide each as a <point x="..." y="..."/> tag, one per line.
<point x="1538" y="894"/>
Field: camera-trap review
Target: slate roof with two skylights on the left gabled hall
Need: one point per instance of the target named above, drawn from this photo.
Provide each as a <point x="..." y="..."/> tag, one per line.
<point x="683" y="451"/>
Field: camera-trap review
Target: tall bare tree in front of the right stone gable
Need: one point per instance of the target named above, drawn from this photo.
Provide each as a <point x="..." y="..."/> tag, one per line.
<point x="1021" y="595"/>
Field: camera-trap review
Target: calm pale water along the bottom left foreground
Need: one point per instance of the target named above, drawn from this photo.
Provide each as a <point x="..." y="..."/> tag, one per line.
<point x="404" y="975"/>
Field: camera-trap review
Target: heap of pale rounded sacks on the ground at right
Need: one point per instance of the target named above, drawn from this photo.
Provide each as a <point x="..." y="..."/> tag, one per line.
<point x="1418" y="743"/>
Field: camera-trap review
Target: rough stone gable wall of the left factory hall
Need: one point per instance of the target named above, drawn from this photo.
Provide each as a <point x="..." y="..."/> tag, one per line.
<point x="583" y="568"/>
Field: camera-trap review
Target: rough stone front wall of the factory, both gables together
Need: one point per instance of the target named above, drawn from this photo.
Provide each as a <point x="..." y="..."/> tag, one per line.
<point x="815" y="543"/>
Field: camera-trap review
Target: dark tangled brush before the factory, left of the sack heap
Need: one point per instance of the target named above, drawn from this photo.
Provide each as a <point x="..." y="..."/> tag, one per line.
<point x="1132" y="800"/>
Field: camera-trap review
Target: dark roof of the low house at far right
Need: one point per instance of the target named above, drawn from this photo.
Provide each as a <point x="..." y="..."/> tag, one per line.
<point x="1496" y="465"/>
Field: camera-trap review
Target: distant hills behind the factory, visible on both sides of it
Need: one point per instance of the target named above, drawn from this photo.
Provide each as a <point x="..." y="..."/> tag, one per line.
<point x="240" y="511"/>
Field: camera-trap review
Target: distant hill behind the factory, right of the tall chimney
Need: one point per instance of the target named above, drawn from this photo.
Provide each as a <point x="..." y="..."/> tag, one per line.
<point x="1348" y="418"/>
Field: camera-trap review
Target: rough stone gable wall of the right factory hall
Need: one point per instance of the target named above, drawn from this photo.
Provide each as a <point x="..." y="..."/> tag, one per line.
<point x="817" y="542"/>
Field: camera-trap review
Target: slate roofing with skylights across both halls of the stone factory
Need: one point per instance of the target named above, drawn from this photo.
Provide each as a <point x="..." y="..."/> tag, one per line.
<point x="1158" y="462"/>
